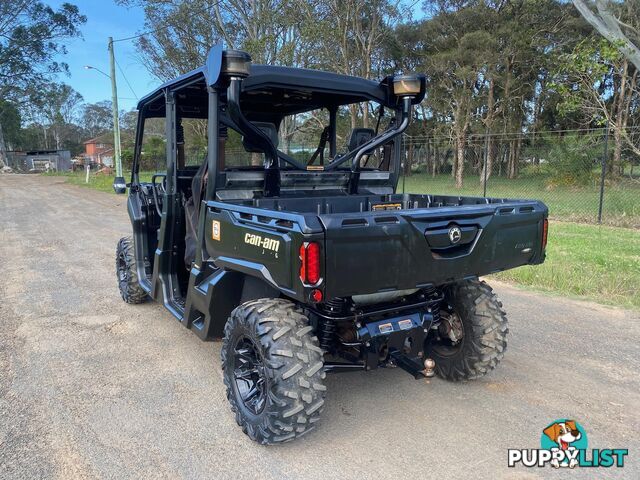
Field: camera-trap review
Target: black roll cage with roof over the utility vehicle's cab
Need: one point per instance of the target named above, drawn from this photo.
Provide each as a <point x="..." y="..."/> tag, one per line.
<point x="268" y="94"/>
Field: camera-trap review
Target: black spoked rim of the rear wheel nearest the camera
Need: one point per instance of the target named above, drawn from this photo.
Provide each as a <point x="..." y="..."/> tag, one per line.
<point x="249" y="375"/>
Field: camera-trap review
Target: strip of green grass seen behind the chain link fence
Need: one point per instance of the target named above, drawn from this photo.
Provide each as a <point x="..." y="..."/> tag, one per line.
<point x="621" y="199"/>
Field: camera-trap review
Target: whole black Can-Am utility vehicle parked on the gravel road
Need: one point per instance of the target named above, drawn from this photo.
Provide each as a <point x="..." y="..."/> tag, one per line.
<point x="307" y="264"/>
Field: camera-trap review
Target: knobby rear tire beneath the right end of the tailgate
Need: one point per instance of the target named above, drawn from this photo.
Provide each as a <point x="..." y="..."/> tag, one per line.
<point x="484" y="332"/>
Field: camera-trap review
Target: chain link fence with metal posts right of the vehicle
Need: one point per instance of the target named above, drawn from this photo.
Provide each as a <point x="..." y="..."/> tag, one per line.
<point x="582" y="176"/>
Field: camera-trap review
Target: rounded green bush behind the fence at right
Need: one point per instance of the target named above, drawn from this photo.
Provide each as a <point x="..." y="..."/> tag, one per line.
<point x="573" y="161"/>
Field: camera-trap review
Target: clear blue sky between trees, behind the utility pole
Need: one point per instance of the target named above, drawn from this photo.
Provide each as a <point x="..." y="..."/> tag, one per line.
<point x="104" y="19"/>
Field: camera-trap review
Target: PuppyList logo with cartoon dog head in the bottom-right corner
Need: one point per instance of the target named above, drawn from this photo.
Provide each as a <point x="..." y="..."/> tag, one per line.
<point x="564" y="445"/>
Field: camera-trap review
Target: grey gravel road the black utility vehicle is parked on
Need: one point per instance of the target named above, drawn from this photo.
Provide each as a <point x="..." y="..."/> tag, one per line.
<point x="93" y="388"/>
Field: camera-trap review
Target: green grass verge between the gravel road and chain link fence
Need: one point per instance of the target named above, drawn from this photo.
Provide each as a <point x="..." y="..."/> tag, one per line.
<point x="598" y="263"/>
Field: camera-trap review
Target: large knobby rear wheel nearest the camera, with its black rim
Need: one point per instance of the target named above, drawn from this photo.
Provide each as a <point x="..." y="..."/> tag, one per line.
<point x="273" y="370"/>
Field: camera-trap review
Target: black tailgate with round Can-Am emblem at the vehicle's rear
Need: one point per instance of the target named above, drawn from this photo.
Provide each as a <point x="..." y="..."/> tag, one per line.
<point x="388" y="250"/>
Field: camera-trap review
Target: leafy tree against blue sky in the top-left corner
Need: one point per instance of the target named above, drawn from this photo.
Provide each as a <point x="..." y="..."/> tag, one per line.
<point x="31" y="39"/>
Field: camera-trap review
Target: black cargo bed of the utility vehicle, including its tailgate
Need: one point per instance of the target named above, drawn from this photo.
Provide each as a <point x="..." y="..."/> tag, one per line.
<point x="379" y="243"/>
